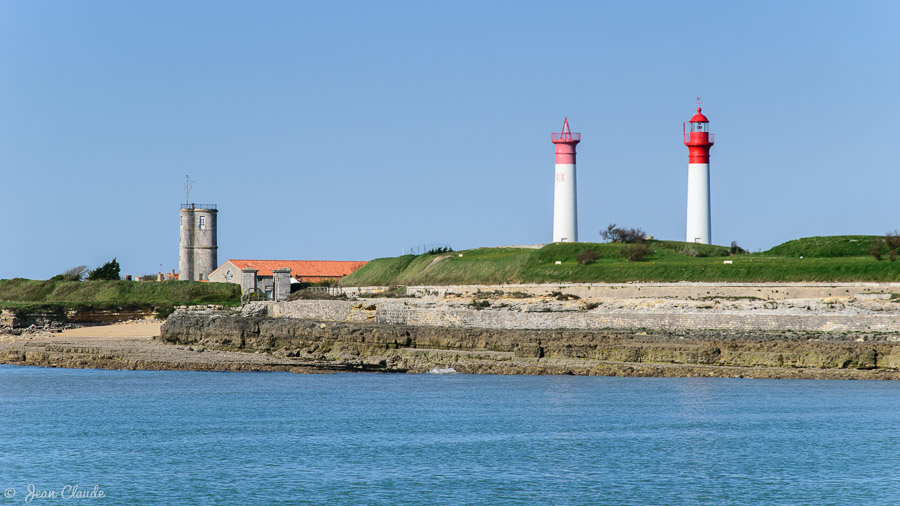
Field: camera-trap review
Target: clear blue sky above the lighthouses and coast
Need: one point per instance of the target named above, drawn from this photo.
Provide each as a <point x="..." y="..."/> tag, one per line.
<point x="350" y="130"/>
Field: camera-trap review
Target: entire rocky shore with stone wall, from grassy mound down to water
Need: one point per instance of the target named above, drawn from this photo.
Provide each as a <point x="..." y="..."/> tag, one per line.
<point x="856" y="336"/>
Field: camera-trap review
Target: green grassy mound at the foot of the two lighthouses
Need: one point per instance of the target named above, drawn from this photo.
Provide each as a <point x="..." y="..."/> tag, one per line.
<point x="824" y="259"/>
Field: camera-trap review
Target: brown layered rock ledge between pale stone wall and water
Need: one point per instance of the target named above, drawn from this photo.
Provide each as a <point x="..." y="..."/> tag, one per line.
<point x="360" y="345"/>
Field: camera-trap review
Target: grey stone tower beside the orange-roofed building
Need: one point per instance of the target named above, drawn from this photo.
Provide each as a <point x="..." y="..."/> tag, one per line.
<point x="198" y="246"/>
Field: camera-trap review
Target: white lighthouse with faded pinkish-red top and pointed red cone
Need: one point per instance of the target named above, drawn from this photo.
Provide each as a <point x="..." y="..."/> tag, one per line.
<point x="565" y="206"/>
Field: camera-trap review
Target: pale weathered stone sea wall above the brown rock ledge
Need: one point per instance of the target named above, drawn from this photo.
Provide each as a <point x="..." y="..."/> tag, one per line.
<point x="400" y="312"/>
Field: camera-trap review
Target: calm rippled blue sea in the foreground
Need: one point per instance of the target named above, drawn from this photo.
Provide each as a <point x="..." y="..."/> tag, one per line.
<point x="192" y="437"/>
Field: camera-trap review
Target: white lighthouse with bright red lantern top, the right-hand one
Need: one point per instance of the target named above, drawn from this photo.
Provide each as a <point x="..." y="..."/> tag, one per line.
<point x="698" y="140"/>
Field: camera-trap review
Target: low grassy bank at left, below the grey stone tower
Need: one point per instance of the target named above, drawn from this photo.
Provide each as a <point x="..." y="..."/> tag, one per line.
<point x="29" y="296"/>
